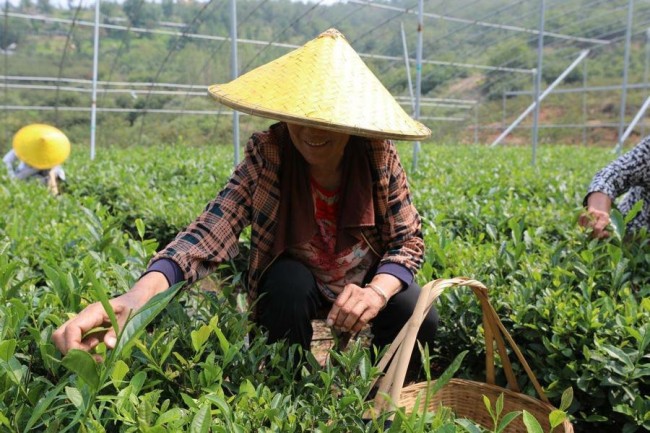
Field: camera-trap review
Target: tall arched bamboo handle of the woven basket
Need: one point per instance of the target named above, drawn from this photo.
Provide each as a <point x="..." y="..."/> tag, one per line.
<point x="402" y="347"/>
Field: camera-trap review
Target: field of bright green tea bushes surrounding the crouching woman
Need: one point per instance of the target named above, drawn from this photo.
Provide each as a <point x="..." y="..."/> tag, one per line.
<point x="577" y="308"/>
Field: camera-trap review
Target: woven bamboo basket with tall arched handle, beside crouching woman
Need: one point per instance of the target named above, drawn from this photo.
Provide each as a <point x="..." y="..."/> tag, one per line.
<point x="464" y="397"/>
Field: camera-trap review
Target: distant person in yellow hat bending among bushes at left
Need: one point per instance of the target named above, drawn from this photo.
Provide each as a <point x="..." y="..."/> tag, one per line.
<point x="37" y="152"/>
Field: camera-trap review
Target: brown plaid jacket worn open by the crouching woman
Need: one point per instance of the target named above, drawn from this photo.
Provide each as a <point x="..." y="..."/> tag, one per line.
<point x="252" y="197"/>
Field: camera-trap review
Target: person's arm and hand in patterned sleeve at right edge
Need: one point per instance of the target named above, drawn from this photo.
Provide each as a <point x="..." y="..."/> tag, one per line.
<point x="629" y="173"/>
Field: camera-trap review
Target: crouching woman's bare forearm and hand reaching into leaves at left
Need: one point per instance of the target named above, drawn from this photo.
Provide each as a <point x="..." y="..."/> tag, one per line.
<point x="92" y="325"/>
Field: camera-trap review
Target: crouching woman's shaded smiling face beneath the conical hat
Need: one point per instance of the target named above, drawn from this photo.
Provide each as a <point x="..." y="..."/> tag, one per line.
<point x="321" y="149"/>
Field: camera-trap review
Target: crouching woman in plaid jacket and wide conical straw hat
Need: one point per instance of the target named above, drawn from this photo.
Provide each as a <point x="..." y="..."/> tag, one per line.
<point x="333" y="226"/>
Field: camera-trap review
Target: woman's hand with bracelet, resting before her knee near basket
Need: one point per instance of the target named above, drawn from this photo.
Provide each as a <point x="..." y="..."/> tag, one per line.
<point x="354" y="308"/>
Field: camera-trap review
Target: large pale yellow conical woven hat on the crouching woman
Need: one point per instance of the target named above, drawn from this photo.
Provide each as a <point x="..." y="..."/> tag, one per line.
<point x="324" y="84"/>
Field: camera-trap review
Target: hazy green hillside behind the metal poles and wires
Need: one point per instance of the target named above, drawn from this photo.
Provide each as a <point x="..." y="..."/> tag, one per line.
<point x="129" y="52"/>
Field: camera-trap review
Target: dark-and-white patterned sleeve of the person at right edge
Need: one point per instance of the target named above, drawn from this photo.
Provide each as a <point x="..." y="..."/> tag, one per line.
<point x="629" y="173"/>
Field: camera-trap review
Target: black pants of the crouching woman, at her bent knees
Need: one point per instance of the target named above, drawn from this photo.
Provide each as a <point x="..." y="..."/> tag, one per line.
<point x="290" y="300"/>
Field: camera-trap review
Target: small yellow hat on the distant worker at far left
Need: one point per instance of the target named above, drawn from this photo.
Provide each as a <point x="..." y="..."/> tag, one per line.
<point x="41" y="146"/>
